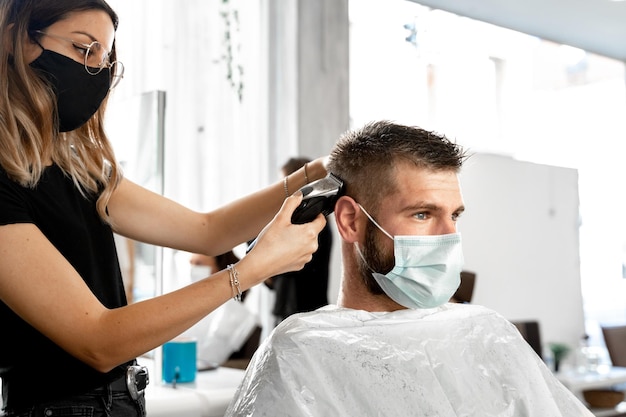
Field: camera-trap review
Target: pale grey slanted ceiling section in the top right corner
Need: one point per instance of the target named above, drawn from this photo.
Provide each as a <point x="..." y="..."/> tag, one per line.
<point x="597" y="26"/>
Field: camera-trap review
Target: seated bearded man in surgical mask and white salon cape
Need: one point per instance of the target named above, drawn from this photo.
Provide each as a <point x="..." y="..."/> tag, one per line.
<point x="393" y="345"/>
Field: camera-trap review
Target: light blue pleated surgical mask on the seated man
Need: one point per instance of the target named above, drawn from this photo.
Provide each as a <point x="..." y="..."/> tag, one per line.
<point x="427" y="269"/>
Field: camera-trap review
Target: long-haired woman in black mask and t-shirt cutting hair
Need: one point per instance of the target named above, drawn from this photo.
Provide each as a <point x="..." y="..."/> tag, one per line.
<point x="69" y="339"/>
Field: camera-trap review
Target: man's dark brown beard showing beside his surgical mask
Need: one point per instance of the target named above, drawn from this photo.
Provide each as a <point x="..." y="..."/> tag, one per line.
<point x="375" y="258"/>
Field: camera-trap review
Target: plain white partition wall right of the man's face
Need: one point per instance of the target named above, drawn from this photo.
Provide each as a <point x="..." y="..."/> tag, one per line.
<point x="520" y="236"/>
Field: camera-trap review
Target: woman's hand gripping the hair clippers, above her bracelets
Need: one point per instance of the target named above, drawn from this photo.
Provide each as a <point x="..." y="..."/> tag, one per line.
<point x="282" y="246"/>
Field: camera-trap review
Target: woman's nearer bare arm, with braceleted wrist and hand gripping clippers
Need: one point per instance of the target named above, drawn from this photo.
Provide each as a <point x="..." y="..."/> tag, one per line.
<point x="38" y="284"/>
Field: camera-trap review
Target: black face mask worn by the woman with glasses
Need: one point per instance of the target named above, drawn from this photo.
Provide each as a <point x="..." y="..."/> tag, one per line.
<point x="79" y="94"/>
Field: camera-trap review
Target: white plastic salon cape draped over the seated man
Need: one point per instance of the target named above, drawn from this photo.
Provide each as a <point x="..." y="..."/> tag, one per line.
<point x="451" y="361"/>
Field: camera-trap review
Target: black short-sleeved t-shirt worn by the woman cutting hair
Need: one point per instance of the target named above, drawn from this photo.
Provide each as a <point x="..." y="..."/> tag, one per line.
<point x="32" y="367"/>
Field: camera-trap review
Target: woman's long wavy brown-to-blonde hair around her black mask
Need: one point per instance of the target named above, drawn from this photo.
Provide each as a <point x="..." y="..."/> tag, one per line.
<point x="29" y="133"/>
